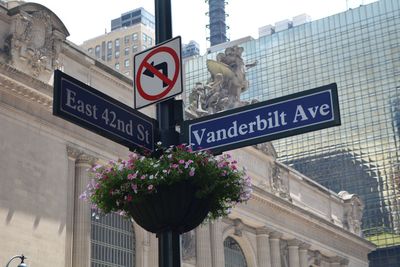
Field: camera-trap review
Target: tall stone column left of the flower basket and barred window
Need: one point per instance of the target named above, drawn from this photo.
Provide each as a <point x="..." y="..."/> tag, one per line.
<point x="82" y="213"/>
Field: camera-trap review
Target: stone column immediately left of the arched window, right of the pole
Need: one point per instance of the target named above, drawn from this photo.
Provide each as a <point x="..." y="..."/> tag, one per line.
<point x="217" y="244"/>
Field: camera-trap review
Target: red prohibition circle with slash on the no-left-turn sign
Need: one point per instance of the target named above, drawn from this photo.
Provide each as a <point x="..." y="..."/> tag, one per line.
<point x="172" y="82"/>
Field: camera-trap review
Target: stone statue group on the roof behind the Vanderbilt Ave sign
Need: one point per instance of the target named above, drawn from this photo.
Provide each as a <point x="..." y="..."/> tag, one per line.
<point x="222" y="91"/>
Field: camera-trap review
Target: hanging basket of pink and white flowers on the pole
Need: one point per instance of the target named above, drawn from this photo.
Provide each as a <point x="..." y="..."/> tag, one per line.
<point x="174" y="189"/>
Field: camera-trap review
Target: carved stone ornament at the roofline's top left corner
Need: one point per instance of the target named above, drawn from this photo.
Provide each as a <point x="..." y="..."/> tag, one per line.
<point x="34" y="44"/>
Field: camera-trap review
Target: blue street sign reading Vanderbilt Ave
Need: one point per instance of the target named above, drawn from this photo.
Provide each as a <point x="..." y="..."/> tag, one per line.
<point x="265" y="121"/>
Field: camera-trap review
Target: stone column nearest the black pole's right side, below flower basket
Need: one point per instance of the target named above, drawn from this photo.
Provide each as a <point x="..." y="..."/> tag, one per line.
<point x="203" y="246"/>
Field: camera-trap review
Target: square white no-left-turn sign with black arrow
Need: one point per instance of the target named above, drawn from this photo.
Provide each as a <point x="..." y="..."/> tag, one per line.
<point x="158" y="73"/>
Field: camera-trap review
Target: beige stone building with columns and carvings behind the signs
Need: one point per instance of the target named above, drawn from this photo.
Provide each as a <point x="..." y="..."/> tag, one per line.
<point x="289" y="220"/>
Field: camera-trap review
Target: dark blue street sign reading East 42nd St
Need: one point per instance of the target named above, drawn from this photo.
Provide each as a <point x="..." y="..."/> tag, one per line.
<point x="99" y="113"/>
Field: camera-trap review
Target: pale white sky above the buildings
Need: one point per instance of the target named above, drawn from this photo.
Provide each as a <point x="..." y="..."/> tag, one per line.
<point x="86" y="19"/>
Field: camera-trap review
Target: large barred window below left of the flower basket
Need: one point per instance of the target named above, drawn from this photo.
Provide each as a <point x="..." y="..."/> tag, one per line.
<point x="112" y="241"/>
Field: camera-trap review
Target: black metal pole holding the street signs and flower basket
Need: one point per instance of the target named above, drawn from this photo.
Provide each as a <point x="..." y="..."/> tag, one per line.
<point x="168" y="241"/>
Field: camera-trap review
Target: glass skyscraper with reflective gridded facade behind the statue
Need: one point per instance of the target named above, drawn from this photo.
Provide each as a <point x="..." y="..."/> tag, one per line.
<point x="360" y="51"/>
